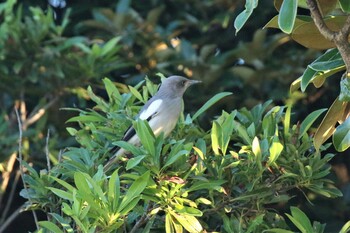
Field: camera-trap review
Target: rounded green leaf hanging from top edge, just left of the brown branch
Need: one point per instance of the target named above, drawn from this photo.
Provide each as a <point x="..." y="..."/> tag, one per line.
<point x="286" y="17"/>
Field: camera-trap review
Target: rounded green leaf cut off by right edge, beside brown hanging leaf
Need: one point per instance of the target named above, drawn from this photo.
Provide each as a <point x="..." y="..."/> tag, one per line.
<point x="341" y="136"/>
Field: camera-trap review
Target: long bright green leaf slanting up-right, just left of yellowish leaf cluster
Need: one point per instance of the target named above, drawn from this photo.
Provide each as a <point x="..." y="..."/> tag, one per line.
<point x="135" y="190"/>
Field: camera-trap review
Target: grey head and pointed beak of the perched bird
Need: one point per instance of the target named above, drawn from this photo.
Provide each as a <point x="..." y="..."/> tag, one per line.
<point x="176" y="86"/>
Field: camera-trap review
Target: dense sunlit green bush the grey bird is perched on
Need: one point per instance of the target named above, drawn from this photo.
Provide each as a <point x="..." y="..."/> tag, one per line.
<point x="226" y="179"/>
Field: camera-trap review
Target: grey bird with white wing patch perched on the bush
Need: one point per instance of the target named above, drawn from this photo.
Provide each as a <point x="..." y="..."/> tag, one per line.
<point x="162" y="112"/>
